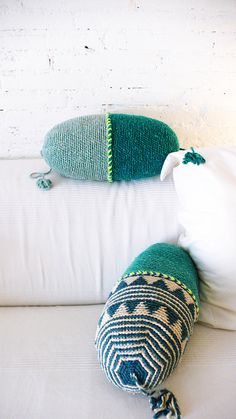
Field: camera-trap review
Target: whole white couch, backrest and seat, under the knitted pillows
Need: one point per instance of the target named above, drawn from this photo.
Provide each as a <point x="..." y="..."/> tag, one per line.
<point x="61" y="251"/>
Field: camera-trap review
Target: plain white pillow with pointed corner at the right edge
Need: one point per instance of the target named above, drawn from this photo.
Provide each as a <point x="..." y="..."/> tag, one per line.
<point x="207" y="213"/>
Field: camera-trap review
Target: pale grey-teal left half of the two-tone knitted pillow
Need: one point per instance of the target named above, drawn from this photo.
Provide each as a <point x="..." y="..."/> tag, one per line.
<point x="77" y="148"/>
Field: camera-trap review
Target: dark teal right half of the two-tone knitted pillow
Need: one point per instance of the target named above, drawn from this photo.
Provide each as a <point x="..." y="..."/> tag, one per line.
<point x="140" y="146"/>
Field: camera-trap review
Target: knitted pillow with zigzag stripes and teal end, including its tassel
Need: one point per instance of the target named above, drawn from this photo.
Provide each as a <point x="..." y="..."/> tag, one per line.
<point x="147" y="321"/>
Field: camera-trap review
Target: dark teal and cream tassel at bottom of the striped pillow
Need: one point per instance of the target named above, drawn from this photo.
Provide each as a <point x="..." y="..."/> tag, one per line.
<point x="165" y="405"/>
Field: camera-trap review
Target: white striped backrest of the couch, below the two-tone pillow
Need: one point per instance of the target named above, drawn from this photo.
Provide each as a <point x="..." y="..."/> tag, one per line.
<point x="69" y="245"/>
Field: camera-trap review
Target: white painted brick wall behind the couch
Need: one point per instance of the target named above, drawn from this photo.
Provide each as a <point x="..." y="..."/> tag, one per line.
<point x="174" y="60"/>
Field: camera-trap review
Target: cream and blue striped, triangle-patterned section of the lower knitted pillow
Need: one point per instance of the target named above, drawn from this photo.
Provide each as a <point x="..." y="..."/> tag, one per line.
<point x="143" y="330"/>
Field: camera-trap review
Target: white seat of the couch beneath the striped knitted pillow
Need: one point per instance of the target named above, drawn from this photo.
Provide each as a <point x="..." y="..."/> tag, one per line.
<point x="49" y="369"/>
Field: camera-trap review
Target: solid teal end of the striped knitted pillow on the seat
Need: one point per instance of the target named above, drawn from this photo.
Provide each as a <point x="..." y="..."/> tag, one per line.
<point x="171" y="260"/>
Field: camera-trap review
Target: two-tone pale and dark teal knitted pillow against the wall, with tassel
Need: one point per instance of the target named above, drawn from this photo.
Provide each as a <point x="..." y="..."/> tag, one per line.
<point x="108" y="147"/>
